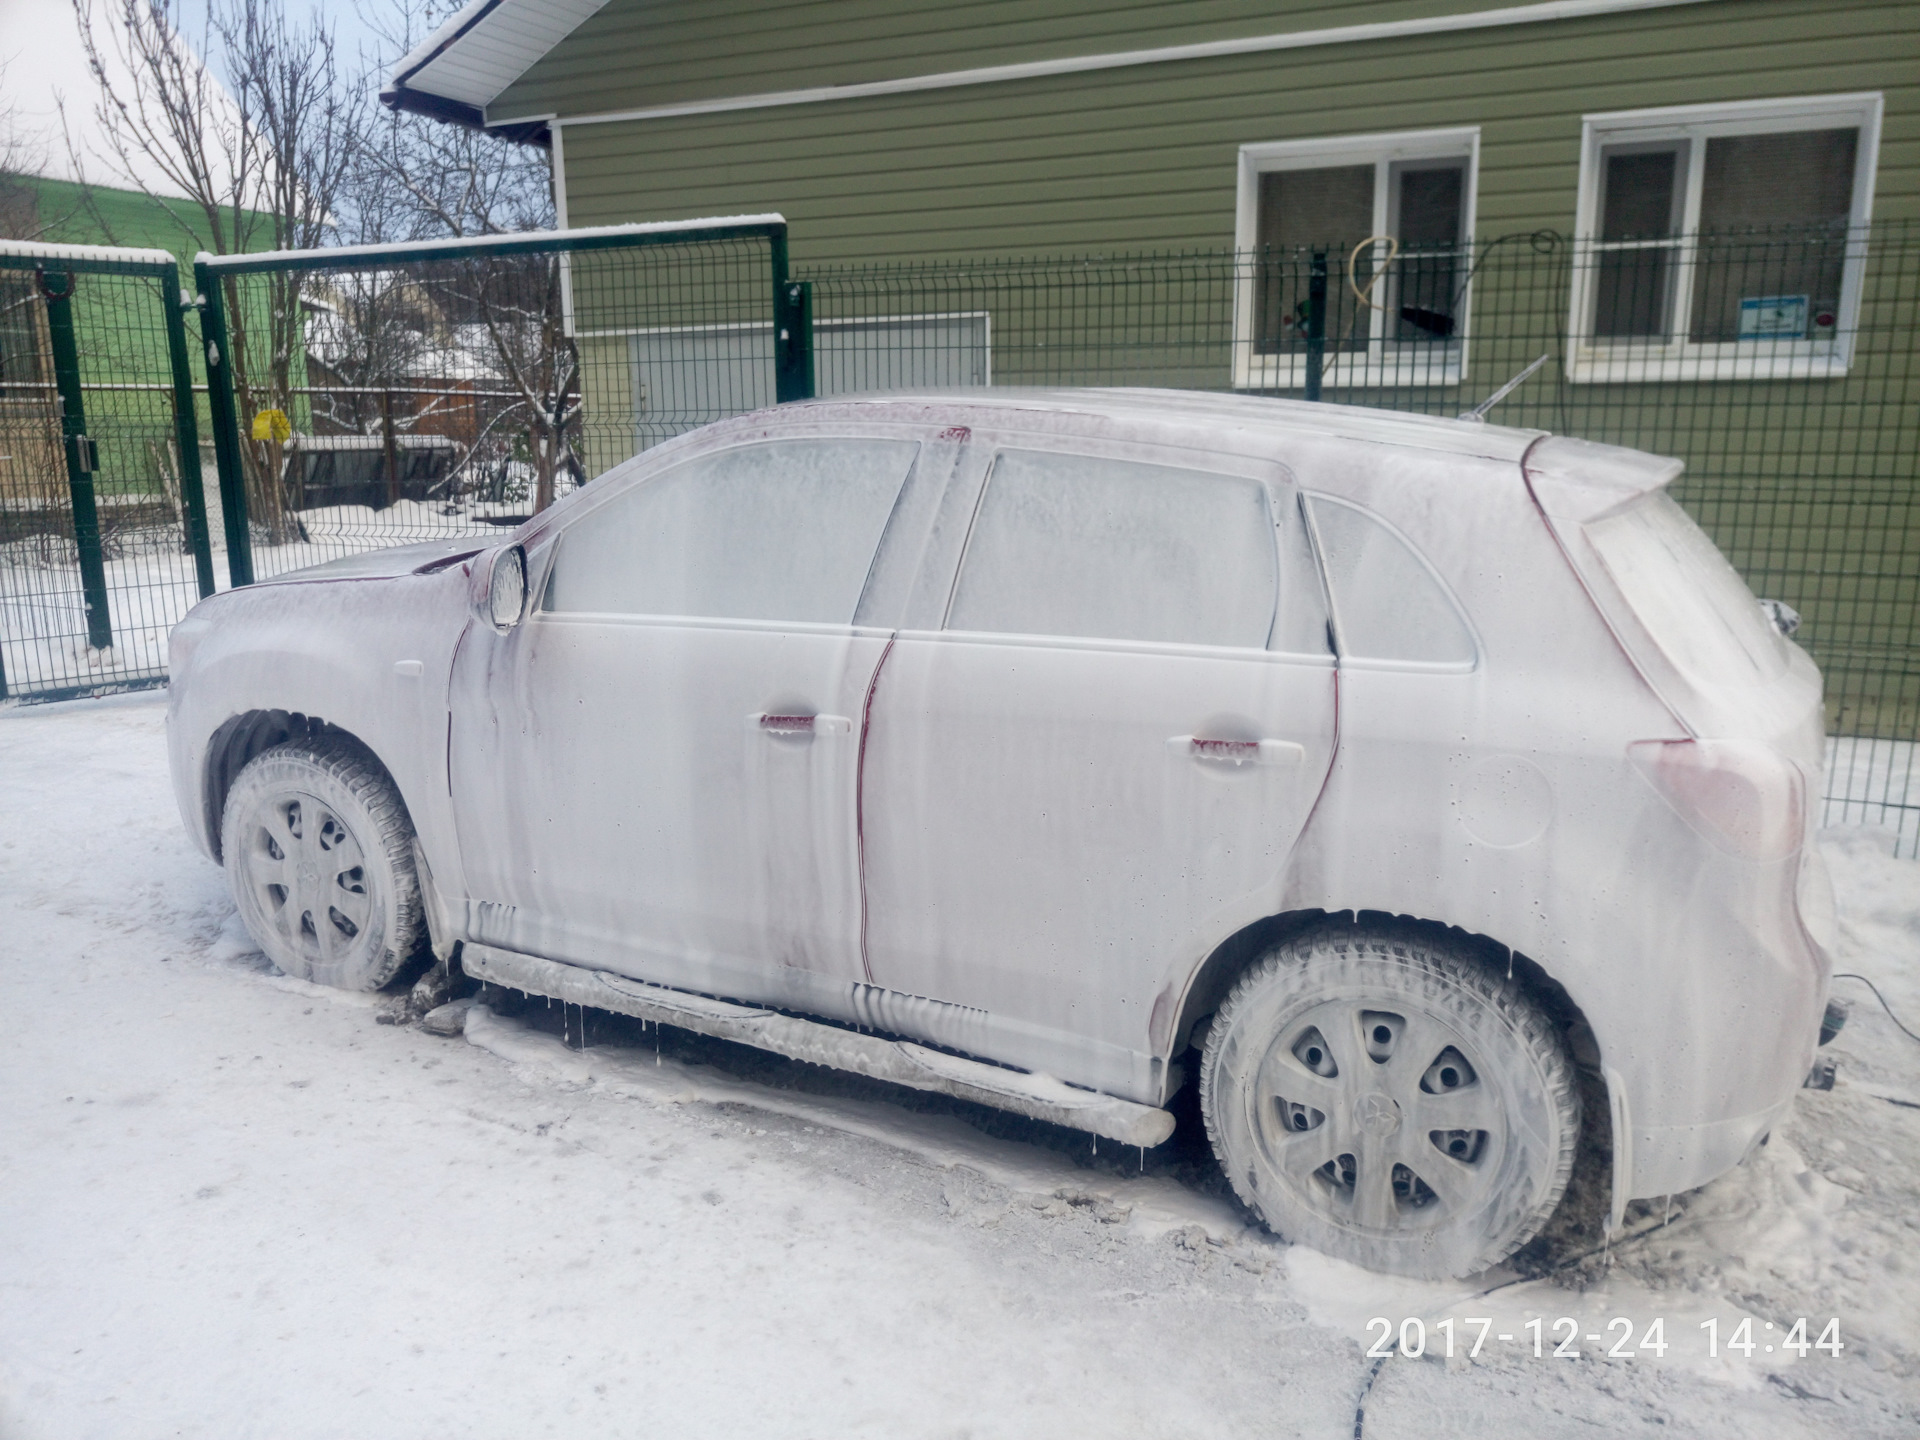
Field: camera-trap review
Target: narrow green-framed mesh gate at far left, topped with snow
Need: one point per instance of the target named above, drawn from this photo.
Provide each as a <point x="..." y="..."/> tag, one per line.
<point x="103" y="516"/>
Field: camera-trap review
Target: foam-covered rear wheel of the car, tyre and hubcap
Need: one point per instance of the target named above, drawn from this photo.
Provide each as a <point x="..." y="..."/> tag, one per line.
<point x="1389" y="1099"/>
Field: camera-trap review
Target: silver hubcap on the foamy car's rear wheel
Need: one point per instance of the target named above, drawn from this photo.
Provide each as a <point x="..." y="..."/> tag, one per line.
<point x="1380" y="1118"/>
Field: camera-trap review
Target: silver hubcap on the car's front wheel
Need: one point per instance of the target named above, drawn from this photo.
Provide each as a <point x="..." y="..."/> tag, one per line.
<point x="308" y="876"/>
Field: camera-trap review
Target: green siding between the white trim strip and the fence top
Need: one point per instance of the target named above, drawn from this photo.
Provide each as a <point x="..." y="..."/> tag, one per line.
<point x="1145" y="158"/>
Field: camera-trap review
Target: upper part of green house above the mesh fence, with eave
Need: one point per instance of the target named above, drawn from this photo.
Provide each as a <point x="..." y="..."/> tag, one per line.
<point x="896" y="130"/>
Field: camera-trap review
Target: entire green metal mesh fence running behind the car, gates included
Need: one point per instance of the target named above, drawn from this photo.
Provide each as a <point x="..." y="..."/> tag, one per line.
<point x="370" y="398"/>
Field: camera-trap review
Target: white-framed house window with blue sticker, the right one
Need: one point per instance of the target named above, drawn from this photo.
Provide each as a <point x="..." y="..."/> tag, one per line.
<point x="1721" y="243"/>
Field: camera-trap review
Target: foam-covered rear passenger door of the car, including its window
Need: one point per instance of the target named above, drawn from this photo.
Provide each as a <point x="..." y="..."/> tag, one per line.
<point x="1095" y="767"/>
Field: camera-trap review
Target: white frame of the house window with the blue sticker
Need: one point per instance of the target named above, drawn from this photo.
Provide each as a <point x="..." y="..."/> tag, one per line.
<point x="1681" y="358"/>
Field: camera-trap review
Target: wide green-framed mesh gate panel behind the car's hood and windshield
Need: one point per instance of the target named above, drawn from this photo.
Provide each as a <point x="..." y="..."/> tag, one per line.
<point x="418" y="393"/>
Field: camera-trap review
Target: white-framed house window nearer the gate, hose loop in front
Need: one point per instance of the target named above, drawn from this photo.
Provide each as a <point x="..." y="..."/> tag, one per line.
<point x="1397" y="310"/>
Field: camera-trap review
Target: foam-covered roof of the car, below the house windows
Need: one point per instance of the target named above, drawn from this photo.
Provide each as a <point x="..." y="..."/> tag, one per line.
<point x="1184" y="410"/>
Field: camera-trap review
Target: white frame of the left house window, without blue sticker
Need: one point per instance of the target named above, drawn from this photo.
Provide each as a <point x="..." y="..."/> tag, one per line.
<point x="1383" y="364"/>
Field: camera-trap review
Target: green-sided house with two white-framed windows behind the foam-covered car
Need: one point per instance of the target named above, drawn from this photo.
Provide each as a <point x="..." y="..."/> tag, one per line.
<point x="1704" y="212"/>
